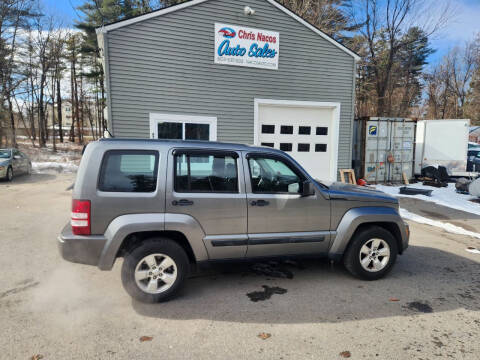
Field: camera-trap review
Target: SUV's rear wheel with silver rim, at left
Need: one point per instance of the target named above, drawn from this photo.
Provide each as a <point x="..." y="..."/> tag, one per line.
<point x="143" y="277"/>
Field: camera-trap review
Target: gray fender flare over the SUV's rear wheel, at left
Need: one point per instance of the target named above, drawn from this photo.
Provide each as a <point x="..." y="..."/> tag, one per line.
<point x="124" y="225"/>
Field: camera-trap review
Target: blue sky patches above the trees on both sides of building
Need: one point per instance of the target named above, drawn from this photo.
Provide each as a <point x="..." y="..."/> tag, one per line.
<point x="462" y="27"/>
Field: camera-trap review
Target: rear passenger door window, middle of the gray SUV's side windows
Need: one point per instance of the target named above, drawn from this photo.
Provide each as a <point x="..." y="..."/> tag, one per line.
<point x="206" y="173"/>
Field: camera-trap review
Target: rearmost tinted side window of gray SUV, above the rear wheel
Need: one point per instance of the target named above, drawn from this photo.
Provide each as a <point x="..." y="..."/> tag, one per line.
<point x="129" y="171"/>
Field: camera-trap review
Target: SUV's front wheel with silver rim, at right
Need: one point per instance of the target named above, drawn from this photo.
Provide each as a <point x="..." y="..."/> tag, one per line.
<point x="375" y="264"/>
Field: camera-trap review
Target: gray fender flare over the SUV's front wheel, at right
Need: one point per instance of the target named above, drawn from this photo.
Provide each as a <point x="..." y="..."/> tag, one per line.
<point x="355" y="217"/>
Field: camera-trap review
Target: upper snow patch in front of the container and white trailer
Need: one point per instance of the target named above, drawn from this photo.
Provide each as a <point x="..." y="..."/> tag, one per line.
<point x="446" y="196"/>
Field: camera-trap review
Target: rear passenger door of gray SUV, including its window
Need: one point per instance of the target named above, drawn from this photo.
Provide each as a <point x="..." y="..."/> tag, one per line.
<point x="208" y="185"/>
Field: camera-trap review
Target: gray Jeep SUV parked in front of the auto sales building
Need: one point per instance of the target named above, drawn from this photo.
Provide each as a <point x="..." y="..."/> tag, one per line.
<point x="165" y="206"/>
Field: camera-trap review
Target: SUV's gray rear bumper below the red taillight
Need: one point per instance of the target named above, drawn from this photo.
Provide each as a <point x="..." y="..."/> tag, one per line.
<point x="80" y="249"/>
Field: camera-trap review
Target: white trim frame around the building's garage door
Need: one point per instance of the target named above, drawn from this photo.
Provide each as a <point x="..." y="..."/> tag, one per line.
<point x="335" y="133"/>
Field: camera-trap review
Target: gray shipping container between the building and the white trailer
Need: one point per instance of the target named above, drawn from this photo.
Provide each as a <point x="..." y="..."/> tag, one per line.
<point x="383" y="149"/>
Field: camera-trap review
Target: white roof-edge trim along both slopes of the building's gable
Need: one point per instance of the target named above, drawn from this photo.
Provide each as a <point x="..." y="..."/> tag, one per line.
<point x="122" y="23"/>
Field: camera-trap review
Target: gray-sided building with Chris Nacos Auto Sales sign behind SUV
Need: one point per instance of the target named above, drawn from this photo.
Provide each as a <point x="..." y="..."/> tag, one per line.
<point x="237" y="71"/>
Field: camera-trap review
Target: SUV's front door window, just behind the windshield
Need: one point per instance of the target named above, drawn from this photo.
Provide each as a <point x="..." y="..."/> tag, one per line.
<point x="270" y="175"/>
